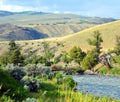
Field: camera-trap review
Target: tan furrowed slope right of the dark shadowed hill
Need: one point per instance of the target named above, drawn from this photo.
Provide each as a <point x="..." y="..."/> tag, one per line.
<point x="58" y="30"/>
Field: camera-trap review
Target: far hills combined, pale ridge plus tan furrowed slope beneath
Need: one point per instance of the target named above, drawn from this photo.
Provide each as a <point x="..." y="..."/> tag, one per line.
<point x="54" y="25"/>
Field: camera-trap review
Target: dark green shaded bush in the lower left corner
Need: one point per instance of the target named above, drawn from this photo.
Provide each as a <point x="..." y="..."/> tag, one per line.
<point x="11" y="87"/>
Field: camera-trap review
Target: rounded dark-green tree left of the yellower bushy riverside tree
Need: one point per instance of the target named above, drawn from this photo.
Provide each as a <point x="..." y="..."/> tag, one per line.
<point x="77" y="54"/>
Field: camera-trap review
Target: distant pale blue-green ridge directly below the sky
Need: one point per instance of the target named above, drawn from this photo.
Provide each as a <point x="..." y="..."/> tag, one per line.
<point x="31" y="18"/>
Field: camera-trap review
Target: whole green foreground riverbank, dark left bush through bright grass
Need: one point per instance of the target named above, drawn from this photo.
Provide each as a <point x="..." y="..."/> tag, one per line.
<point x="51" y="90"/>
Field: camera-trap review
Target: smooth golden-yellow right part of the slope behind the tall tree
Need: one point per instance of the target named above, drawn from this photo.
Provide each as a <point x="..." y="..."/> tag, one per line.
<point x="108" y="32"/>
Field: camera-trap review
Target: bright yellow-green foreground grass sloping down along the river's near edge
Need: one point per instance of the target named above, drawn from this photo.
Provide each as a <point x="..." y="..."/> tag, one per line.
<point x="54" y="93"/>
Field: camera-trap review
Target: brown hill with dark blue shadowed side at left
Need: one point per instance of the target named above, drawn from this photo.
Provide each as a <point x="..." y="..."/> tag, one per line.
<point x="12" y="32"/>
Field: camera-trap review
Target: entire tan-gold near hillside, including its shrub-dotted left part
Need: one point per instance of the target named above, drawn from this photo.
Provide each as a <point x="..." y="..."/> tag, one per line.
<point x="108" y="31"/>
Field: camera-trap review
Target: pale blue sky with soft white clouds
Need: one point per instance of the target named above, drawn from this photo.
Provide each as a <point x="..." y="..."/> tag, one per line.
<point x="101" y="8"/>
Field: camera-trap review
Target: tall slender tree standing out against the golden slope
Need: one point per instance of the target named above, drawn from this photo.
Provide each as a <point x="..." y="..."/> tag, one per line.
<point x="96" y="42"/>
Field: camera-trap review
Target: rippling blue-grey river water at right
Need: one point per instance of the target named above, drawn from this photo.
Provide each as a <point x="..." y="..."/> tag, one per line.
<point x="99" y="85"/>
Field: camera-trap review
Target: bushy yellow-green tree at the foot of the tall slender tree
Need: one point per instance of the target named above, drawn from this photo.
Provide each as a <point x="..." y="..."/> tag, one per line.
<point x="89" y="61"/>
